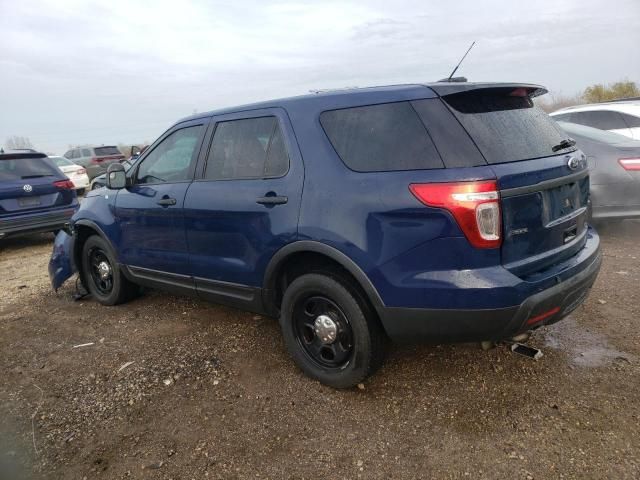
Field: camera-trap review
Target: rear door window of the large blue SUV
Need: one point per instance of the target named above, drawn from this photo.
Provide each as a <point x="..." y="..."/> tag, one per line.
<point x="248" y="148"/>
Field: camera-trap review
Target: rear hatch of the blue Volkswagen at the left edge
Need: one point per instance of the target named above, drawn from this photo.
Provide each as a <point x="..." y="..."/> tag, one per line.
<point x="30" y="183"/>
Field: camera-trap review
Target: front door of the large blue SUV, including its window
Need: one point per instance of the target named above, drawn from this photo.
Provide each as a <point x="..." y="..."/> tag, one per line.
<point x="150" y="212"/>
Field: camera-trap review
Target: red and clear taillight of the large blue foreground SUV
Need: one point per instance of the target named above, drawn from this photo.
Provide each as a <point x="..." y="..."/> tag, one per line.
<point x="474" y="205"/>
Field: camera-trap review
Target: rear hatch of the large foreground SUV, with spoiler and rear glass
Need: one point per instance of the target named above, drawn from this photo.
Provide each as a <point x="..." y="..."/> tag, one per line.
<point x="543" y="181"/>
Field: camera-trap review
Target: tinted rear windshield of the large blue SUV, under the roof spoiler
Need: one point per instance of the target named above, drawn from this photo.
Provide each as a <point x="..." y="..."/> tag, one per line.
<point x="505" y="124"/>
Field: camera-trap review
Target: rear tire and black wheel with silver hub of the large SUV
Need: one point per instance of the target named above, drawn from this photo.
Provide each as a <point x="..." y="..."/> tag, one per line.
<point x="341" y="352"/>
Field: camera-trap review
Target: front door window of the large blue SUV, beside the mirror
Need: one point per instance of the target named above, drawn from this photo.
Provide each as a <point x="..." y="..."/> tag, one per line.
<point x="172" y="159"/>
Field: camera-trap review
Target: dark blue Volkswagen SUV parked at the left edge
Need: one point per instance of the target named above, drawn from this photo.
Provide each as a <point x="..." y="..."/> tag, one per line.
<point x="35" y="196"/>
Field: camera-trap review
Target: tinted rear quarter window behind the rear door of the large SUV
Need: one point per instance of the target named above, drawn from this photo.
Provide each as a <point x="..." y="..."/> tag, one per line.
<point x="381" y="137"/>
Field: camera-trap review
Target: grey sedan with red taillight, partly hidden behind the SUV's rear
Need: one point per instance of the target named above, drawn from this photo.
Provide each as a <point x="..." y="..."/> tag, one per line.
<point x="614" y="161"/>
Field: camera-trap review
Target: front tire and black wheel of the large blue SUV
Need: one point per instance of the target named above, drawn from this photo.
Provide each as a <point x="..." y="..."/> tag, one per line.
<point x="111" y="288"/>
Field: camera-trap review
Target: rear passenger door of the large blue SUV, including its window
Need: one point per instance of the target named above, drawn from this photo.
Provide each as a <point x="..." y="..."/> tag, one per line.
<point x="244" y="205"/>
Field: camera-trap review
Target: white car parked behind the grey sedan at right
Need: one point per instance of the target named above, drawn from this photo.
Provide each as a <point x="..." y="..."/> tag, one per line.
<point x="622" y="117"/>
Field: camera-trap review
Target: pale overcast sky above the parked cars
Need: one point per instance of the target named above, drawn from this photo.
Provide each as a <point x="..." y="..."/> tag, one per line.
<point x="104" y="72"/>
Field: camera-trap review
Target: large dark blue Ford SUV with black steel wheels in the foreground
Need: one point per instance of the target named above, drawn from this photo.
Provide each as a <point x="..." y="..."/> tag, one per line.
<point x="440" y="212"/>
